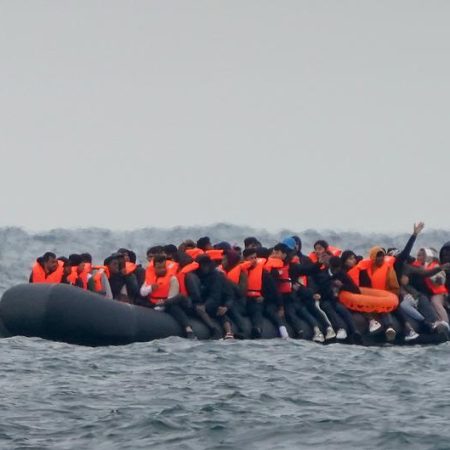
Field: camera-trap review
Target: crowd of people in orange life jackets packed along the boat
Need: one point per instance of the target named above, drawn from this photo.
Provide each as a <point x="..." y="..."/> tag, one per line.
<point x="221" y="284"/>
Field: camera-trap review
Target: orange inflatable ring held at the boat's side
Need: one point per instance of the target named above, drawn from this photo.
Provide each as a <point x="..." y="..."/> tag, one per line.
<point x="369" y="301"/>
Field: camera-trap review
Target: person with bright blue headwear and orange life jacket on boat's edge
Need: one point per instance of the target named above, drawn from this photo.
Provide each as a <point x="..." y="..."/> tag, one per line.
<point x="293" y="308"/>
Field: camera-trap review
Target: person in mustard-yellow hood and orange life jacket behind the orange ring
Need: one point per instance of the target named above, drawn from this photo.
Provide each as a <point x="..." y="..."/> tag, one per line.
<point x="378" y="273"/>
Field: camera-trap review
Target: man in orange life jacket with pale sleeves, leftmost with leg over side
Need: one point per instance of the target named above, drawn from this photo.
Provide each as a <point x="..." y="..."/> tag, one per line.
<point x="162" y="288"/>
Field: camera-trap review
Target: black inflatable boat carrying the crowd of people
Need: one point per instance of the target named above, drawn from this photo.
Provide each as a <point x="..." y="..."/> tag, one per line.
<point x="64" y="313"/>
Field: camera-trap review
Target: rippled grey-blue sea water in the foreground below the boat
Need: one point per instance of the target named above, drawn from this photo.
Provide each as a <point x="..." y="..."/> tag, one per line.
<point x="178" y="394"/>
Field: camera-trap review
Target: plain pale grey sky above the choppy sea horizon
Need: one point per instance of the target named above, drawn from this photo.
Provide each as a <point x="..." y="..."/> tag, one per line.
<point x="304" y="114"/>
